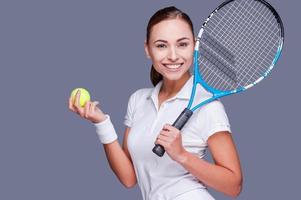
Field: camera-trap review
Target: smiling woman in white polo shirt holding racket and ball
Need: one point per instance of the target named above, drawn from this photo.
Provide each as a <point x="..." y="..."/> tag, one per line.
<point x="181" y="173"/>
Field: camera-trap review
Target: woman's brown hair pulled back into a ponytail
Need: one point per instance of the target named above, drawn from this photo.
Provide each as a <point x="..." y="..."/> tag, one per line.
<point x="161" y="15"/>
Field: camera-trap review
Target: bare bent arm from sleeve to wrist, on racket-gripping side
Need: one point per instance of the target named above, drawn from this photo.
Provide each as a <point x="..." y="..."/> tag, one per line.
<point x="225" y="174"/>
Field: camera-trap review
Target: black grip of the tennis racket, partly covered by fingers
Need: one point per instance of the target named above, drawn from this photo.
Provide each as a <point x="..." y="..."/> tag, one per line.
<point x="179" y="124"/>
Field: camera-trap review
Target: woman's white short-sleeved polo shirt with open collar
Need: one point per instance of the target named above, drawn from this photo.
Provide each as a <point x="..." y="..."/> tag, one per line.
<point x="161" y="178"/>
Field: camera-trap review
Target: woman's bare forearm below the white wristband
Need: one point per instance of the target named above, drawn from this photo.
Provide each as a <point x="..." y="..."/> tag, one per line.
<point x="120" y="164"/>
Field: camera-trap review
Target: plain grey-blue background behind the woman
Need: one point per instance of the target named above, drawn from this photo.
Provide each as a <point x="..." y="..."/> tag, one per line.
<point x="47" y="48"/>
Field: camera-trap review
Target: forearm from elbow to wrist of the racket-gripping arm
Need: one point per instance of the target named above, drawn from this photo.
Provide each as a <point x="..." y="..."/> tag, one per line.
<point x="217" y="177"/>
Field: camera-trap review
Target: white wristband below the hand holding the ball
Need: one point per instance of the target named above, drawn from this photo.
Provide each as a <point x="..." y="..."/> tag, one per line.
<point x="106" y="131"/>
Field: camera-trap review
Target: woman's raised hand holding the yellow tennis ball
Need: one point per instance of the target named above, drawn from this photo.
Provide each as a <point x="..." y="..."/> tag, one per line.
<point x="90" y="112"/>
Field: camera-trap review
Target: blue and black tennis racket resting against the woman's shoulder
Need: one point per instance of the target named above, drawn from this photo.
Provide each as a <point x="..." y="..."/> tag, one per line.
<point x="236" y="48"/>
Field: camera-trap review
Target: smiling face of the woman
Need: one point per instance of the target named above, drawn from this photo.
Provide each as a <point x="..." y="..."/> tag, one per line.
<point x="170" y="48"/>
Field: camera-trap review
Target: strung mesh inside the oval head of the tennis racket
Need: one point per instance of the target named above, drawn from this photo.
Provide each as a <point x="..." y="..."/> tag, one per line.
<point x="239" y="44"/>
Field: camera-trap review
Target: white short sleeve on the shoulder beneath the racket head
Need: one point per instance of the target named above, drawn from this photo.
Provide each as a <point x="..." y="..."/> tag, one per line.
<point x="215" y="119"/>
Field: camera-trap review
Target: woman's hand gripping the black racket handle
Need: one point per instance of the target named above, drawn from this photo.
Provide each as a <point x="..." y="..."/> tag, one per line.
<point x="171" y="139"/>
